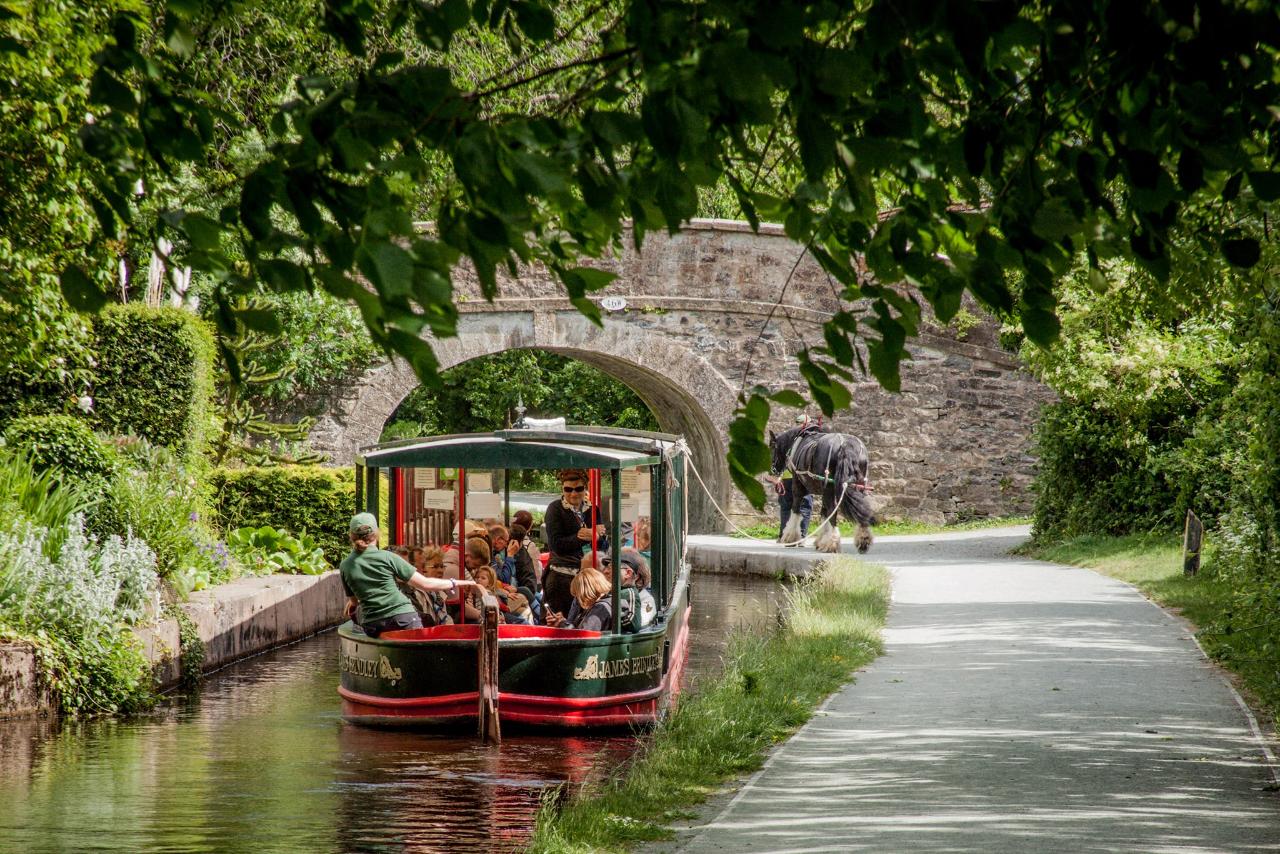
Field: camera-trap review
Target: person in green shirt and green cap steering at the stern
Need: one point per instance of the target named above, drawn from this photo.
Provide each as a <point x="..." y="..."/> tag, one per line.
<point x="369" y="577"/>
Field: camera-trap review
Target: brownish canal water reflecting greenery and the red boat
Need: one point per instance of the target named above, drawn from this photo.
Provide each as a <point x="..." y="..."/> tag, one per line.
<point x="263" y="762"/>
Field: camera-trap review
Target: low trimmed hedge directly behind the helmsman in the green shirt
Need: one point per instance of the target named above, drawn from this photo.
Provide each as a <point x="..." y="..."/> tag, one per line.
<point x="300" y="500"/>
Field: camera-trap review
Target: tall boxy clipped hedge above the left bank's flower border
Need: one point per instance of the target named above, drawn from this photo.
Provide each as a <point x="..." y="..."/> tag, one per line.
<point x="156" y="376"/>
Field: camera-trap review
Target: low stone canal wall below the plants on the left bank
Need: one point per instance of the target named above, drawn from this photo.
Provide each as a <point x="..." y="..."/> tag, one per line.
<point x="234" y="622"/>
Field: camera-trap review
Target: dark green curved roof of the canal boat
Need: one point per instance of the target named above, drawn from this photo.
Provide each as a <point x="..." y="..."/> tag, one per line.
<point x="577" y="446"/>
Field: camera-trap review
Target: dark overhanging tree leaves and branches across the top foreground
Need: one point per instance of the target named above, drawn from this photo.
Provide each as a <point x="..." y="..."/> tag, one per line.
<point x="985" y="152"/>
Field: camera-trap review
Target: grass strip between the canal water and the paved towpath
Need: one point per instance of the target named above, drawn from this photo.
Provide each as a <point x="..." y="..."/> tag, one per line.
<point x="725" y="728"/>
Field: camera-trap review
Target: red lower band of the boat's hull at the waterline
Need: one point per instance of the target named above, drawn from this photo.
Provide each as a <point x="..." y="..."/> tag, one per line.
<point x="619" y="710"/>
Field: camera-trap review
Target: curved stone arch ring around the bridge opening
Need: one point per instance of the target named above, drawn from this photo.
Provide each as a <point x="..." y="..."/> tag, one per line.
<point x="685" y="392"/>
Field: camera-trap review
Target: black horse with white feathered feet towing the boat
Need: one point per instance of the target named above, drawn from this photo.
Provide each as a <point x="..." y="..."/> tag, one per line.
<point x="833" y="465"/>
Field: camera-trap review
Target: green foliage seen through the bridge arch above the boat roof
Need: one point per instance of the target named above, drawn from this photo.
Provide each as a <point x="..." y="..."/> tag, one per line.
<point x="482" y="395"/>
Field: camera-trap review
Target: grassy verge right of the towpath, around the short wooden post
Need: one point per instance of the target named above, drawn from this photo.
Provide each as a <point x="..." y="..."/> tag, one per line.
<point x="1155" y="567"/>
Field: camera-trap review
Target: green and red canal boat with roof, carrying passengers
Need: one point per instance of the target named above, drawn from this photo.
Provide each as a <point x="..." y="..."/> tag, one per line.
<point x="546" y="677"/>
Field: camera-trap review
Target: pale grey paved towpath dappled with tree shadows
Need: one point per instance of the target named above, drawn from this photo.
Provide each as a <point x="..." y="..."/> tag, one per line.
<point x="1020" y="707"/>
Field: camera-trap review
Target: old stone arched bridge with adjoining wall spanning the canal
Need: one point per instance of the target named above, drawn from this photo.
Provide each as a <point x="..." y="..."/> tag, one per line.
<point x="953" y="445"/>
